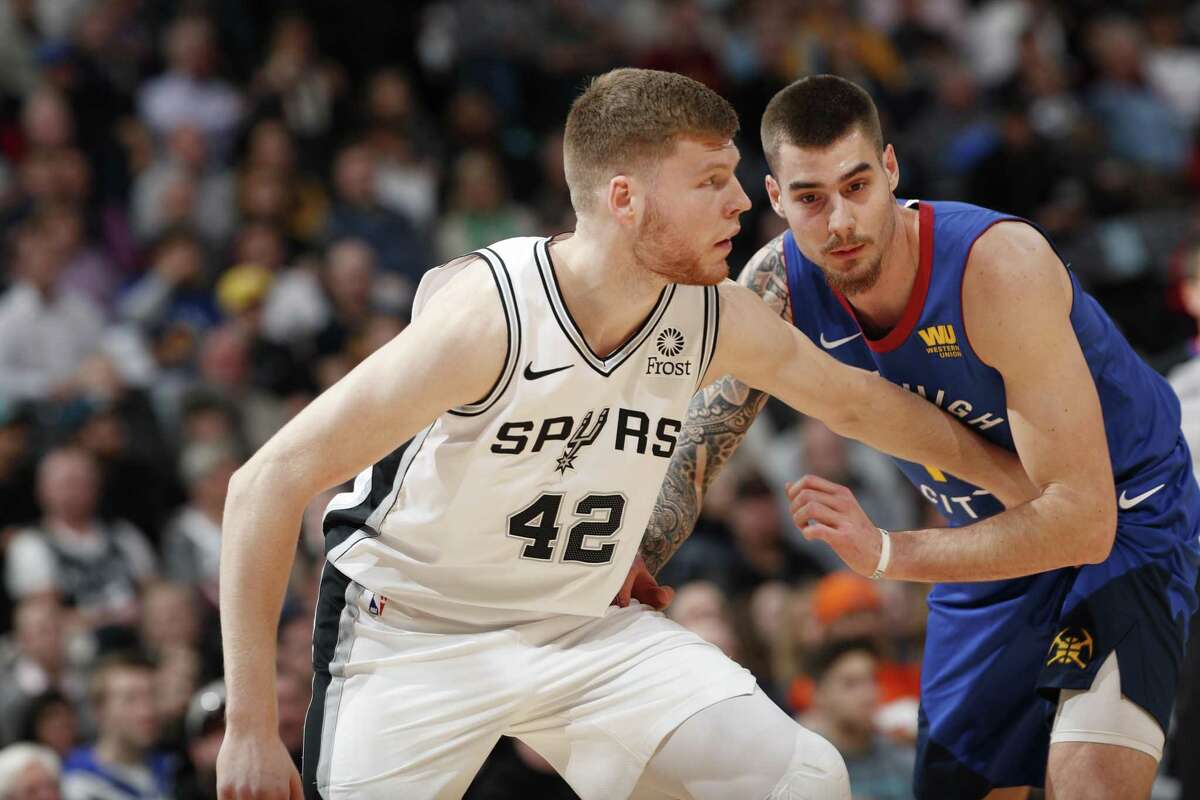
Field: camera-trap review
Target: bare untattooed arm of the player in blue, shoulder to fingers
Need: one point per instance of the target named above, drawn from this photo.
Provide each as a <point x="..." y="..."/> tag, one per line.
<point x="1017" y="302"/>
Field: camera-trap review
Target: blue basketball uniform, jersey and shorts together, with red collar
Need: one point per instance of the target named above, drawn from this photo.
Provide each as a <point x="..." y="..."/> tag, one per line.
<point x="998" y="653"/>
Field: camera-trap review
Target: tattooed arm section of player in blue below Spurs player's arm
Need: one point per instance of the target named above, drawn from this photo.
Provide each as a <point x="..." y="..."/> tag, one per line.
<point x="718" y="420"/>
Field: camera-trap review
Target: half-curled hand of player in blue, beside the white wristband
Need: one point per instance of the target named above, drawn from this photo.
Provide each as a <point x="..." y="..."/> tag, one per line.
<point x="829" y="512"/>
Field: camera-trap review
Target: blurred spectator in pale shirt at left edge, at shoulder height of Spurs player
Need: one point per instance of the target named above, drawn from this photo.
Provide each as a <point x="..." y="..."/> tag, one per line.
<point x="45" y="330"/>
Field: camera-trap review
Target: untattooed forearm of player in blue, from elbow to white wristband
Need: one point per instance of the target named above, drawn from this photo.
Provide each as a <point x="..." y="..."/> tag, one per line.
<point x="1046" y="534"/>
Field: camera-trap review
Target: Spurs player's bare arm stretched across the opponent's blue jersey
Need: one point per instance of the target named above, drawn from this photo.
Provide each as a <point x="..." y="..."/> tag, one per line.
<point x="771" y="356"/>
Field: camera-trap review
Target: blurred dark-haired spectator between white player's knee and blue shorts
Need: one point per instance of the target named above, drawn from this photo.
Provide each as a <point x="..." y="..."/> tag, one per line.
<point x="845" y="703"/>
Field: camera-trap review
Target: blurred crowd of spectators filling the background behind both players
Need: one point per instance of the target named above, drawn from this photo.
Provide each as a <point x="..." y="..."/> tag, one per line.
<point x="212" y="210"/>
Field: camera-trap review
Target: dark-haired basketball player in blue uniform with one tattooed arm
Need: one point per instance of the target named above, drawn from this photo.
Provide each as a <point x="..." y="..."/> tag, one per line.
<point x="1055" y="628"/>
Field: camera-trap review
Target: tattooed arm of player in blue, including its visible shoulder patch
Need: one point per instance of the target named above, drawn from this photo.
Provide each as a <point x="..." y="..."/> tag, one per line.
<point x="718" y="420"/>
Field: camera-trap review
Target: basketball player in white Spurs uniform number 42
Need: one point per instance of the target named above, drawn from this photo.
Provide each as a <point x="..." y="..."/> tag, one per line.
<point x="509" y="448"/>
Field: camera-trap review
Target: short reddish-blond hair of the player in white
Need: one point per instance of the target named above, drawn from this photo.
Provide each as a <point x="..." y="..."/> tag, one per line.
<point x="628" y="117"/>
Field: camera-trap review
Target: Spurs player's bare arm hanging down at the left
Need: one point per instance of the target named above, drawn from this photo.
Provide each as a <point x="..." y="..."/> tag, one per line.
<point x="451" y="356"/>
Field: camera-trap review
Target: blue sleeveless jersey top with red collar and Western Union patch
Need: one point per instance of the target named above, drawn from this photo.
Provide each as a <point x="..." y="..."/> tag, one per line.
<point x="929" y="353"/>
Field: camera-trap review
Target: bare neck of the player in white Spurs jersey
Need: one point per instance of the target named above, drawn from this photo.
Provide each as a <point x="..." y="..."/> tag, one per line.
<point x="607" y="291"/>
